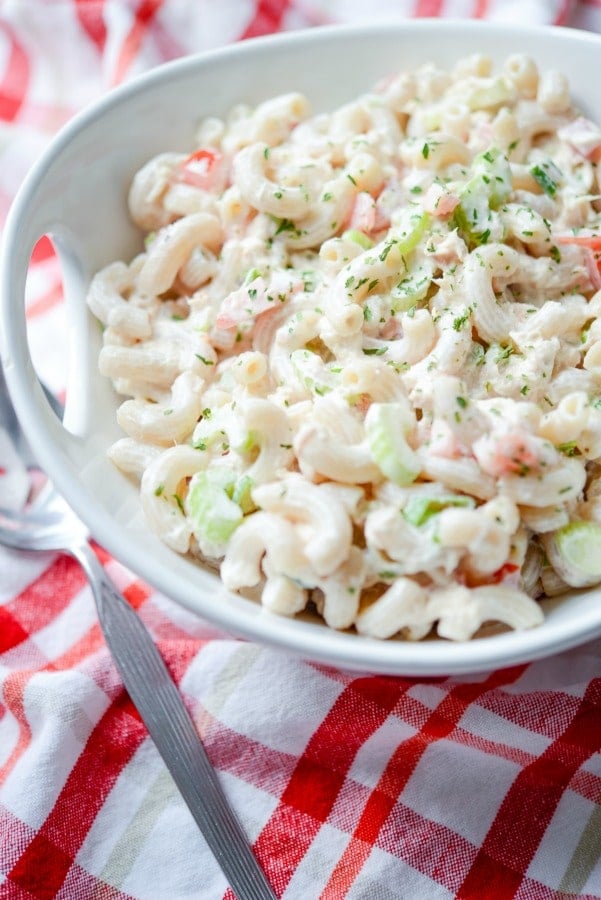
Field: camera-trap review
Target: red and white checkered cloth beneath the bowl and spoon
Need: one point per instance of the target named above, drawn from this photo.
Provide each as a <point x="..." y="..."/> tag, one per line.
<point x="362" y="787"/>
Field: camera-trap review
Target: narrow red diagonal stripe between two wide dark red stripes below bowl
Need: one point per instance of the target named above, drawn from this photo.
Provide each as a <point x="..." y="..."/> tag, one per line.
<point x="439" y="724"/>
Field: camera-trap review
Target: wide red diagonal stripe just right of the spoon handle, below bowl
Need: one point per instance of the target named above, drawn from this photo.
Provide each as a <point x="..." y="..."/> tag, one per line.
<point x="305" y="804"/>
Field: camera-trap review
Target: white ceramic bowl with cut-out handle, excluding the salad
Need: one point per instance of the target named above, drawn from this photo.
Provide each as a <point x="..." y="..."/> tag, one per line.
<point x="76" y="193"/>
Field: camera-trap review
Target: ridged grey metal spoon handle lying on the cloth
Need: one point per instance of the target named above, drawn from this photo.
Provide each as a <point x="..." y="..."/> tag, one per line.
<point x="162" y="710"/>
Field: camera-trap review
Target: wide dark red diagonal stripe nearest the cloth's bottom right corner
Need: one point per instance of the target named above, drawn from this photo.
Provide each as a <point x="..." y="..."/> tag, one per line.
<point x="530" y="803"/>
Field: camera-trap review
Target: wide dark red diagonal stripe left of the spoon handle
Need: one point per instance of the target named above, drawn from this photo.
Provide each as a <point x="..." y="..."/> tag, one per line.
<point x="44" y="865"/>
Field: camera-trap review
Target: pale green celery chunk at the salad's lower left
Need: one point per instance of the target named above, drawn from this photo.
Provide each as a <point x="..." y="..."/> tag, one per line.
<point x="213" y="514"/>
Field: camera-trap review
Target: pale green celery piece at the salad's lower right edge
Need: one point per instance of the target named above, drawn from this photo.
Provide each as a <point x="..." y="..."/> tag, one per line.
<point x="574" y="551"/>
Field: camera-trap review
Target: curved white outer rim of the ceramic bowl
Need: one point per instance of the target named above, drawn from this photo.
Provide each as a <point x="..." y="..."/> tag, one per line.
<point x="344" y="650"/>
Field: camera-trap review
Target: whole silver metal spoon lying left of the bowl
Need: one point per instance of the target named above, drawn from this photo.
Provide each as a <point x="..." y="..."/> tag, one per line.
<point x="49" y="524"/>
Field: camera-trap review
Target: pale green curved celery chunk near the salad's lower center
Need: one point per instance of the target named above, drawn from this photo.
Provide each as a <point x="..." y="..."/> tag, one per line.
<point x="386" y="427"/>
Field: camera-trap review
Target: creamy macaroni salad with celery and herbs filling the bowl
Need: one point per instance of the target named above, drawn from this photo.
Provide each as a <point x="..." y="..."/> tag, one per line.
<point x="361" y="351"/>
